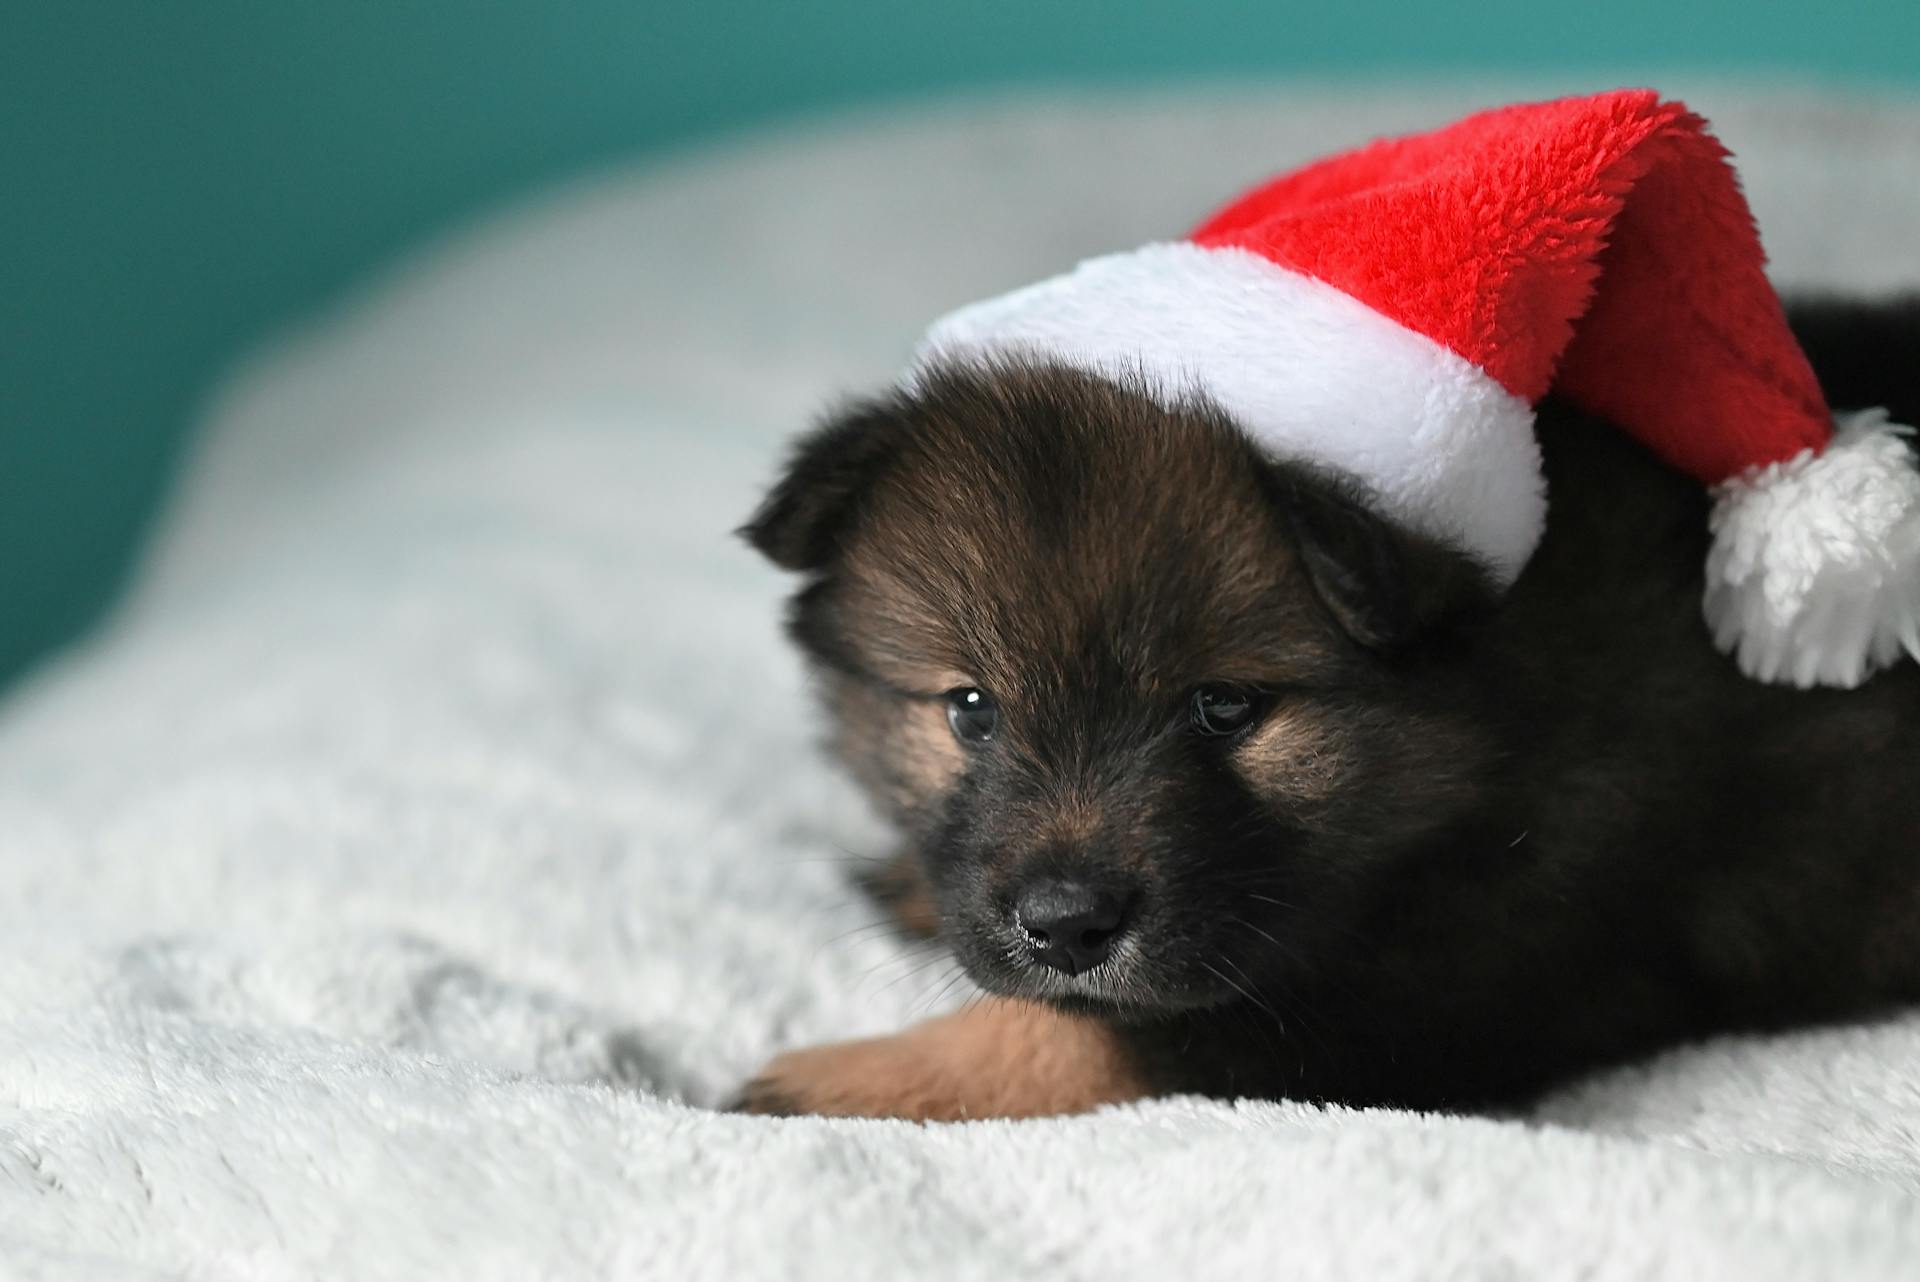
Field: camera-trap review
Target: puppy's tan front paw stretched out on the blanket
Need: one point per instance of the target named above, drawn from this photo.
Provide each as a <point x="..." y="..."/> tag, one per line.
<point x="999" y="1058"/>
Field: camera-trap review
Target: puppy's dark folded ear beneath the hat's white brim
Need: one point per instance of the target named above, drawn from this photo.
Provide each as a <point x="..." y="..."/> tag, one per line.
<point x="1383" y="584"/>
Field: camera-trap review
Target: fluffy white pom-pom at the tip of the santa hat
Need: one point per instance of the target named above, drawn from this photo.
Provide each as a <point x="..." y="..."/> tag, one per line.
<point x="1815" y="565"/>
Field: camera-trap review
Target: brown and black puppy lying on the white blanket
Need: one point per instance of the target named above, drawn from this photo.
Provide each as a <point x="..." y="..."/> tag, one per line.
<point x="1224" y="784"/>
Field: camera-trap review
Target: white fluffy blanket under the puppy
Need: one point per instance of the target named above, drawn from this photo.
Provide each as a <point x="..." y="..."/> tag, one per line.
<point x="437" y="836"/>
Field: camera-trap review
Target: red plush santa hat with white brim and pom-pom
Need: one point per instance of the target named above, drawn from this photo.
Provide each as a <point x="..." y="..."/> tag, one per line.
<point x="1395" y="314"/>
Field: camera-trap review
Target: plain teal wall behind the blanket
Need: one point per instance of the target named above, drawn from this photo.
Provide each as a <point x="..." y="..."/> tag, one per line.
<point x="181" y="176"/>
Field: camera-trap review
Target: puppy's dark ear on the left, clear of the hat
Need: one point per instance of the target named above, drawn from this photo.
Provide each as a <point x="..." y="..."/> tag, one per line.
<point x="804" y="519"/>
